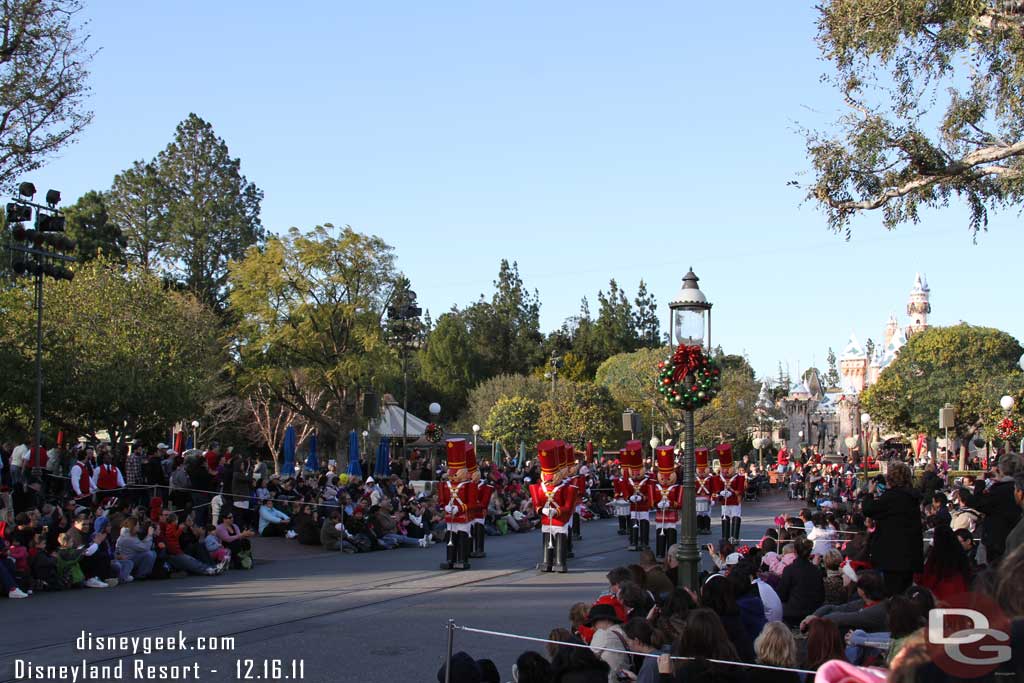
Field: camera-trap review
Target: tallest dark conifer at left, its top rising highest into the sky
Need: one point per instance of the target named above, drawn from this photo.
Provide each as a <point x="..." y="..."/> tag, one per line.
<point x="212" y="209"/>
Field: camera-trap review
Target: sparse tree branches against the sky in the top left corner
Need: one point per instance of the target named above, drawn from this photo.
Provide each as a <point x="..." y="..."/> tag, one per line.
<point x="44" y="83"/>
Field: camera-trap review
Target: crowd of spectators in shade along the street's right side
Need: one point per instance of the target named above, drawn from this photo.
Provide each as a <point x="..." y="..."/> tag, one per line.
<point x="837" y="594"/>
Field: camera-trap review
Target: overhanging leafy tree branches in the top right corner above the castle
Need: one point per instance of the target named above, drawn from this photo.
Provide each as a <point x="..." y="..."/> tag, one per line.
<point x="936" y="109"/>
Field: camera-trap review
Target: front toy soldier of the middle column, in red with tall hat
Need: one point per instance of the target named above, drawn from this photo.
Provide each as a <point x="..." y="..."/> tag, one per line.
<point x="556" y="501"/>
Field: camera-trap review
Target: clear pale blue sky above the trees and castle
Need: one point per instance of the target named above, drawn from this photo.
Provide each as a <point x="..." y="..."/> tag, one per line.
<point x="585" y="141"/>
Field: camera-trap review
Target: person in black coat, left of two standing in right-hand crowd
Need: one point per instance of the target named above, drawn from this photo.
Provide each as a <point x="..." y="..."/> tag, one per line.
<point x="895" y="548"/>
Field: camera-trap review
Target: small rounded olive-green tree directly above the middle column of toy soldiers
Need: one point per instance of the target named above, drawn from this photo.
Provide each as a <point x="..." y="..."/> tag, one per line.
<point x="581" y="411"/>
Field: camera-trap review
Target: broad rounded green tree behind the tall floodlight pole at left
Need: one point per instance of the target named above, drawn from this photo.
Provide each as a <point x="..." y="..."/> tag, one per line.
<point x="121" y="353"/>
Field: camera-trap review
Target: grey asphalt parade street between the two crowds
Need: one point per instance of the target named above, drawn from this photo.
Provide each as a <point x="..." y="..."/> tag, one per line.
<point x="380" y="617"/>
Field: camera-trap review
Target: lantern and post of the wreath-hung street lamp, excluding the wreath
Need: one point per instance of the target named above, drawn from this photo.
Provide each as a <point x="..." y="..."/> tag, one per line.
<point x="690" y="320"/>
